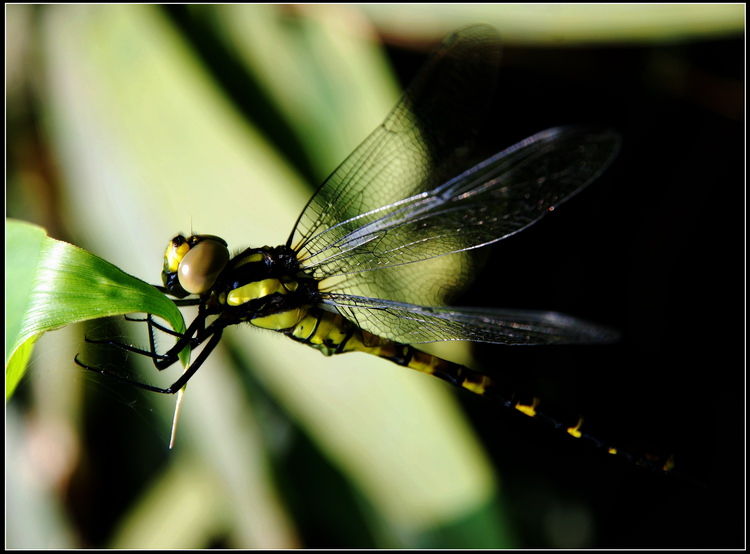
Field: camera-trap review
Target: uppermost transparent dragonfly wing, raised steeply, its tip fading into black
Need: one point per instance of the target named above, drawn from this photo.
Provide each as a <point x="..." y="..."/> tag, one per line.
<point x="422" y="143"/>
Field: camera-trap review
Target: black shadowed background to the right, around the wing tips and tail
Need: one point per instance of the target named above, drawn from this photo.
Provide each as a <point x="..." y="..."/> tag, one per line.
<point x="654" y="249"/>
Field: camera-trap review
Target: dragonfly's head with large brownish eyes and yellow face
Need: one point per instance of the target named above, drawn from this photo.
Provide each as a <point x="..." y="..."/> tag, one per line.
<point x="192" y="264"/>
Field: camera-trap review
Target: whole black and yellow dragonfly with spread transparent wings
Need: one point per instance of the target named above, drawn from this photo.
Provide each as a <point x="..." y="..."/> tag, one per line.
<point x="355" y="274"/>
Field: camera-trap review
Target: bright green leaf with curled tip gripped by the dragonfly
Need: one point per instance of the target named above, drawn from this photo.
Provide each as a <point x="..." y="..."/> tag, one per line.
<point x="50" y="284"/>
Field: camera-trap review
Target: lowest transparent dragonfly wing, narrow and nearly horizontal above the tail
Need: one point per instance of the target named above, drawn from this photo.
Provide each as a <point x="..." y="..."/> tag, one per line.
<point x="412" y="324"/>
